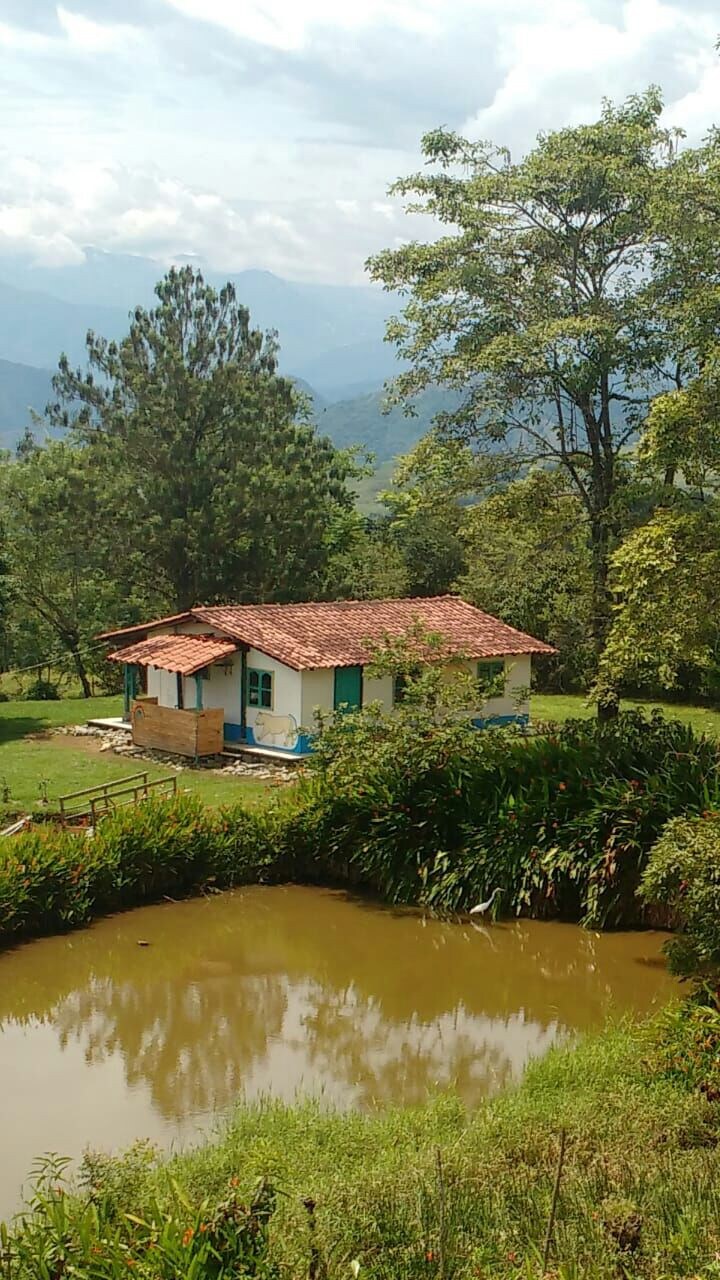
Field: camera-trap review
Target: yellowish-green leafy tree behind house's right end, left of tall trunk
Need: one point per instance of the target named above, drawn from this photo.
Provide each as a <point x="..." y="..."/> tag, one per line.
<point x="528" y="561"/>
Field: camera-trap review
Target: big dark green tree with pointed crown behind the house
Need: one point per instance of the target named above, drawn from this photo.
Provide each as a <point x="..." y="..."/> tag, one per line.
<point x="221" y="487"/>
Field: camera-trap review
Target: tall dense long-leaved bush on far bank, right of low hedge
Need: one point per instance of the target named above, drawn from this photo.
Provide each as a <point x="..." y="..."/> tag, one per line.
<point x="440" y="815"/>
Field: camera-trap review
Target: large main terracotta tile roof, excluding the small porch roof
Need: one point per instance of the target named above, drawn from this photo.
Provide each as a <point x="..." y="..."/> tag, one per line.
<point x="308" y="637"/>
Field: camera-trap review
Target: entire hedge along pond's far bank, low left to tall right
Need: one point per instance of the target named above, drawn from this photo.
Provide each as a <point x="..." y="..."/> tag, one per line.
<point x="436" y="816"/>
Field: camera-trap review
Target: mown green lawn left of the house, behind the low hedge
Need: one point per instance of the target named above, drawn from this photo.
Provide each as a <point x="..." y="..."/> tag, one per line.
<point x="30" y="761"/>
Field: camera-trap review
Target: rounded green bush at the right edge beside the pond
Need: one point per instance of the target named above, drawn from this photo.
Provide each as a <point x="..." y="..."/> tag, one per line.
<point x="683" y="876"/>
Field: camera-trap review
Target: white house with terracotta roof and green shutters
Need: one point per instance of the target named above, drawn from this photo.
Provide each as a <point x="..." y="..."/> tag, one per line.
<point x="257" y="673"/>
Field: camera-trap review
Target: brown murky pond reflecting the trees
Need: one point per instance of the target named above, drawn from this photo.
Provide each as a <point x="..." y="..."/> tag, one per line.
<point x="284" y="991"/>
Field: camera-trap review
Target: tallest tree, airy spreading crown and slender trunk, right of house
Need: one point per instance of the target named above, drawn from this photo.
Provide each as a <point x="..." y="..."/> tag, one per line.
<point x="539" y="303"/>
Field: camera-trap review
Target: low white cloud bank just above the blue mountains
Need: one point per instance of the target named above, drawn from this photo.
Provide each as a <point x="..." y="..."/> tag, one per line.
<point x="51" y="214"/>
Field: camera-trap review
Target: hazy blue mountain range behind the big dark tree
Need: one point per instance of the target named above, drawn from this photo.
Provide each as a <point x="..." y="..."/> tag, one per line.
<point x="331" y="340"/>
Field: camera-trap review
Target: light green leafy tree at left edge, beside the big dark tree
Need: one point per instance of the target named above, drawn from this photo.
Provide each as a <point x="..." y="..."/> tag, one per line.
<point x="57" y="557"/>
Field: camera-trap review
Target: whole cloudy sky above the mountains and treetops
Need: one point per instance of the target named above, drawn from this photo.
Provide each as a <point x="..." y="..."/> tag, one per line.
<point x="266" y="132"/>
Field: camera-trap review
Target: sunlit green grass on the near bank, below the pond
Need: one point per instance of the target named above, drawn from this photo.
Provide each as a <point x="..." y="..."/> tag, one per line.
<point x="432" y="1192"/>
